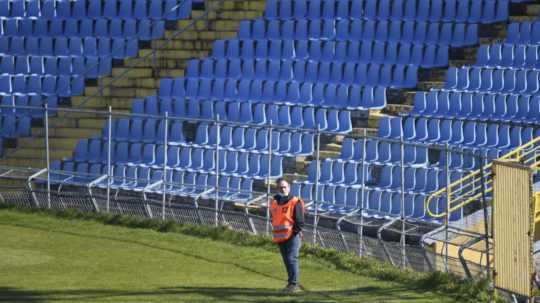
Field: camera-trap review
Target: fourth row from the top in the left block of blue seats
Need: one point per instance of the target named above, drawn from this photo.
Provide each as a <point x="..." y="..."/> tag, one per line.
<point x="91" y="67"/>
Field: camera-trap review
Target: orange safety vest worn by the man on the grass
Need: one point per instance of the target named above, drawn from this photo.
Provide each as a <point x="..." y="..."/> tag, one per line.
<point x="282" y="219"/>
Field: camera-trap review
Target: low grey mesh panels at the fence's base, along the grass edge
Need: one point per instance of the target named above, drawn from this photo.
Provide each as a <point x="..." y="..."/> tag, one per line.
<point x="240" y="220"/>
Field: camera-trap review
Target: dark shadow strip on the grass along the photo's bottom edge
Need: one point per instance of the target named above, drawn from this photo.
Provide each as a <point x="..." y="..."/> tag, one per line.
<point x="202" y="294"/>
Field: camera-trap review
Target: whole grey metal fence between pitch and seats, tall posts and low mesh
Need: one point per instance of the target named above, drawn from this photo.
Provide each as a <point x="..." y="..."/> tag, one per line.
<point x="399" y="235"/>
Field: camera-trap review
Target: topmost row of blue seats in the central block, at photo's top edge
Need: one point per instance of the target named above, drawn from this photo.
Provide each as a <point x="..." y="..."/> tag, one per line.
<point x="485" y="11"/>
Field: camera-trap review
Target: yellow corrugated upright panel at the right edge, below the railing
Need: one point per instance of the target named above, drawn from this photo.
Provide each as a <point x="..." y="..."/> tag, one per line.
<point x="513" y="227"/>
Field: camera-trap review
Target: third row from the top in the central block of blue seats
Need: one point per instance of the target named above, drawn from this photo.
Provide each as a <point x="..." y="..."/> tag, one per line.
<point x="368" y="51"/>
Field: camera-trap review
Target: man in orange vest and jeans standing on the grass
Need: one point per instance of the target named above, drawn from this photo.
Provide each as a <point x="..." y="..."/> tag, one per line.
<point x="287" y="222"/>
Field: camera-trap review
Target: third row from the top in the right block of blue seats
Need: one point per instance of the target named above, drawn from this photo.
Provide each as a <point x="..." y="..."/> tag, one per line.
<point x="510" y="80"/>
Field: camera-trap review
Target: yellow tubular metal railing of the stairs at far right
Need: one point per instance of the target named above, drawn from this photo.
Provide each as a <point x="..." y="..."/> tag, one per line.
<point x="468" y="189"/>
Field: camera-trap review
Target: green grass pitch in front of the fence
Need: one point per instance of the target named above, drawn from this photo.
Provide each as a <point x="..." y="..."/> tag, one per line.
<point x="47" y="259"/>
